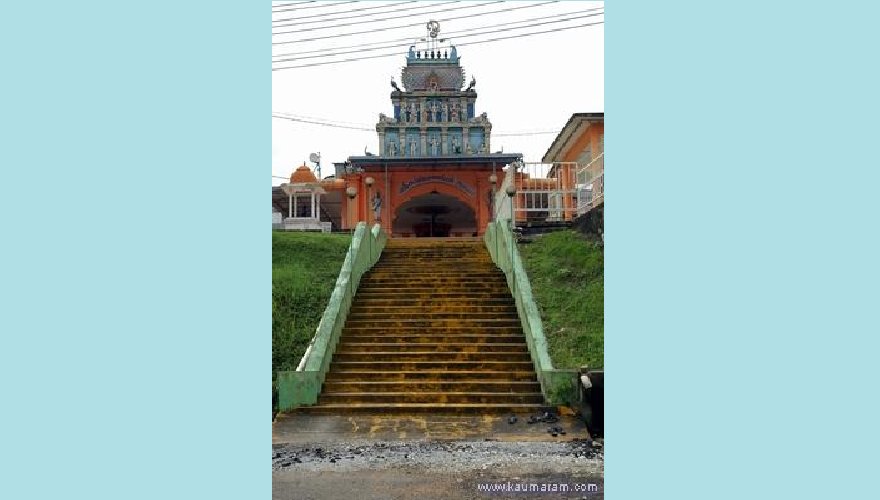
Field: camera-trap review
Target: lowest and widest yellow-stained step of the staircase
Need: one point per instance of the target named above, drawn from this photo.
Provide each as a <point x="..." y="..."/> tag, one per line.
<point x="420" y="408"/>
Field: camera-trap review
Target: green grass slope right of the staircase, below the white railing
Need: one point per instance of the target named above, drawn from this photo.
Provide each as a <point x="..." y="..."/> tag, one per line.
<point x="566" y="271"/>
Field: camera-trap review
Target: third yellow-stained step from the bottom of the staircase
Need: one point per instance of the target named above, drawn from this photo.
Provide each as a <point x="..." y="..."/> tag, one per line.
<point x="463" y="385"/>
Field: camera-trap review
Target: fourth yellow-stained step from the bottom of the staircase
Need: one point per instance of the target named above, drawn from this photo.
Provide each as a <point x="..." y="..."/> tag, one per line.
<point x="434" y="376"/>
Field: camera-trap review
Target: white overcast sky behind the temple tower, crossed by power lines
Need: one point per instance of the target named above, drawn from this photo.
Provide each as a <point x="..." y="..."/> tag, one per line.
<point x="526" y="84"/>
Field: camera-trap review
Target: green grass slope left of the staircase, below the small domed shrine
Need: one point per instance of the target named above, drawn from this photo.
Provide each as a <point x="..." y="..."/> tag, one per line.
<point x="304" y="271"/>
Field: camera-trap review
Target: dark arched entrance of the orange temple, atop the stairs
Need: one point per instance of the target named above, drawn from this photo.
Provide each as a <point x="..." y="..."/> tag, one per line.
<point x="434" y="215"/>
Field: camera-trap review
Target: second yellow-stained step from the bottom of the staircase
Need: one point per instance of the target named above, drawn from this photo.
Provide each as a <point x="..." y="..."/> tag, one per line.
<point x="430" y="397"/>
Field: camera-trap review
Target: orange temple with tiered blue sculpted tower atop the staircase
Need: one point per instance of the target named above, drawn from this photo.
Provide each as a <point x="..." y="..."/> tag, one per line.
<point x="431" y="176"/>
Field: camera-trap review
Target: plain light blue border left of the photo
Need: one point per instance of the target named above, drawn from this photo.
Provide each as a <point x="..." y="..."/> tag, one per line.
<point x="135" y="353"/>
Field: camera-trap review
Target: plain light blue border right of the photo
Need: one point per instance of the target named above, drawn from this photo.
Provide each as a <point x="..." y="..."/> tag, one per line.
<point x="741" y="250"/>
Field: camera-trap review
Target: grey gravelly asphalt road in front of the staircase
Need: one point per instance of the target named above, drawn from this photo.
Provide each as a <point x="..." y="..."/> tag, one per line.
<point x="448" y="470"/>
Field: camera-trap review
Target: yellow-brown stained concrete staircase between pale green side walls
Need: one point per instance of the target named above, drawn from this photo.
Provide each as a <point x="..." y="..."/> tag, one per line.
<point x="433" y="328"/>
